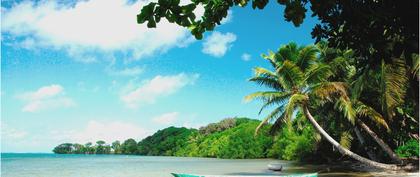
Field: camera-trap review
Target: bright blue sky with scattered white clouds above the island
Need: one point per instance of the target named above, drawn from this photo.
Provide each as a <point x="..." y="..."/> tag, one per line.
<point x="82" y="71"/>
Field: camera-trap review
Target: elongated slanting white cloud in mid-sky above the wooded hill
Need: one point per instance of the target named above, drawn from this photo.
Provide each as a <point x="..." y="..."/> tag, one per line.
<point x="157" y="87"/>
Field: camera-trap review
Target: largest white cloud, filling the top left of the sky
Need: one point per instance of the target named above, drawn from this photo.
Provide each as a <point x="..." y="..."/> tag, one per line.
<point x="86" y="28"/>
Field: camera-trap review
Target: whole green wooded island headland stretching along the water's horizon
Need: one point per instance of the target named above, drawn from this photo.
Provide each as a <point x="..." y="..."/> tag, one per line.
<point x="229" y="138"/>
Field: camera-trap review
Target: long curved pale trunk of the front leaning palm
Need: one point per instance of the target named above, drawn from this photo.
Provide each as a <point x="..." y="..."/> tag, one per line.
<point x="343" y="150"/>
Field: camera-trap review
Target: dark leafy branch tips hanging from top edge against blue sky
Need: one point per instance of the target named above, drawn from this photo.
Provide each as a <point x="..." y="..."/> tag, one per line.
<point x="214" y="12"/>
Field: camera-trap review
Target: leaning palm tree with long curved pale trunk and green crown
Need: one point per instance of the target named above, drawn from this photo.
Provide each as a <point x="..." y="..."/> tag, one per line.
<point x="298" y="80"/>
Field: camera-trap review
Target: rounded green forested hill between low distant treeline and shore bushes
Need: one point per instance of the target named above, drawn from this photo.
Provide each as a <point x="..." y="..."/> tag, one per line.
<point x="229" y="138"/>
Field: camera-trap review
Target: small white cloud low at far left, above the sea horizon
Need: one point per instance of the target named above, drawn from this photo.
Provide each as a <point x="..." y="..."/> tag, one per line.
<point x="45" y="98"/>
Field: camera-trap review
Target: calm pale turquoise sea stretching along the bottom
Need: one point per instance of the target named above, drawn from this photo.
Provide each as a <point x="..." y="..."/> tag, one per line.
<point x="53" y="165"/>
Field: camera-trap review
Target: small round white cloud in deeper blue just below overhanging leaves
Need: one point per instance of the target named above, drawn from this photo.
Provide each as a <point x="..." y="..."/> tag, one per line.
<point x="217" y="44"/>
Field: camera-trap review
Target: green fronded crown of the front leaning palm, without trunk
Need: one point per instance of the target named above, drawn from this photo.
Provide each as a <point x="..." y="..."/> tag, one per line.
<point x="297" y="76"/>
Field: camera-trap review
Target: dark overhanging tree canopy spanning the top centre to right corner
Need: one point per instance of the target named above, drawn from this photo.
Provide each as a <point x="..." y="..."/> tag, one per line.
<point x="376" y="30"/>
